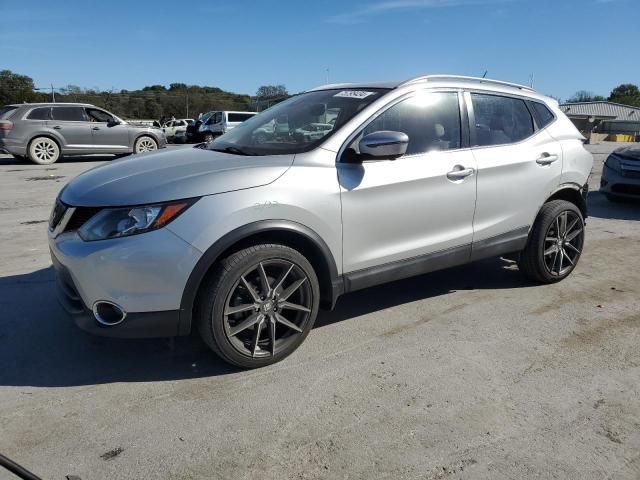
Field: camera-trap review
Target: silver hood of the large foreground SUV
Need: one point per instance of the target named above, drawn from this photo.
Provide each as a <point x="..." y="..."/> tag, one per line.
<point x="170" y="175"/>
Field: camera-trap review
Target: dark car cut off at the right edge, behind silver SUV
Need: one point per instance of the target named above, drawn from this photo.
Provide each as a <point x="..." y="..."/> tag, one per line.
<point x="621" y="175"/>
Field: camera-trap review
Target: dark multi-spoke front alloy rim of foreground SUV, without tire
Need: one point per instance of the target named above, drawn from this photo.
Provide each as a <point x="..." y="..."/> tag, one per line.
<point x="268" y="308"/>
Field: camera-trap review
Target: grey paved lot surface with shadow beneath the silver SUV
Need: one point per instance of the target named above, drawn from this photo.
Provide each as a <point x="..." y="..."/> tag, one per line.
<point x="468" y="373"/>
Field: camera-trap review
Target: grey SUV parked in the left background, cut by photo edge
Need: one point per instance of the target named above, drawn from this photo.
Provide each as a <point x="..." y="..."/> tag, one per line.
<point x="44" y="132"/>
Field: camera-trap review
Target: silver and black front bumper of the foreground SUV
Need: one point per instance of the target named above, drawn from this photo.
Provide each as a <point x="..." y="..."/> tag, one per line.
<point x="144" y="274"/>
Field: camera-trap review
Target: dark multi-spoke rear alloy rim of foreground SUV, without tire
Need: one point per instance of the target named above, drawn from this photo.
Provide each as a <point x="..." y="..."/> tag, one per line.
<point x="563" y="243"/>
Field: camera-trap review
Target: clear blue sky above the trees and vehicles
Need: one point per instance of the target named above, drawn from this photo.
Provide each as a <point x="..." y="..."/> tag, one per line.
<point x="241" y="44"/>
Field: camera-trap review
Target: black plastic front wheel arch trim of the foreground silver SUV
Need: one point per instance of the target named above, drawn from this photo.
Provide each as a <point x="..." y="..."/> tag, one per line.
<point x="292" y="234"/>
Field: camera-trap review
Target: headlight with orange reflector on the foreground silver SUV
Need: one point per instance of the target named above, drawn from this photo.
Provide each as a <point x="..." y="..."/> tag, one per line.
<point x="122" y="222"/>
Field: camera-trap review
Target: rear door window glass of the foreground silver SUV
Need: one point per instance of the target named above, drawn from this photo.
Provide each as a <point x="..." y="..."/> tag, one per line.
<point x="500" y="120"/>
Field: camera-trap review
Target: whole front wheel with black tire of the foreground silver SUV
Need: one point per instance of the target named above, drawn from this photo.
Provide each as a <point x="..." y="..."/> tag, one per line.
<point x="258" y="305"/>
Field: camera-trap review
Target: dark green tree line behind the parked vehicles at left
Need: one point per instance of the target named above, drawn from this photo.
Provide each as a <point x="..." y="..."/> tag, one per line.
<point x="151" y="102"/>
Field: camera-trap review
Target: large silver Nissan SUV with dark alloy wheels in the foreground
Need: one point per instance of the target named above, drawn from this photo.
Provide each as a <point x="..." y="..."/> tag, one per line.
<point x="245" y="240"/>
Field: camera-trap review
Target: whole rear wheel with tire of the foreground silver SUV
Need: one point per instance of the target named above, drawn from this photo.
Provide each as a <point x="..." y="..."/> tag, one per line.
<point x="555" y="243"/>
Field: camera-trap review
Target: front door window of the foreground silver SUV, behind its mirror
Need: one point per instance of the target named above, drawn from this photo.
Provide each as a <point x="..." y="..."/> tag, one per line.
<point x="431" y="120"/>
